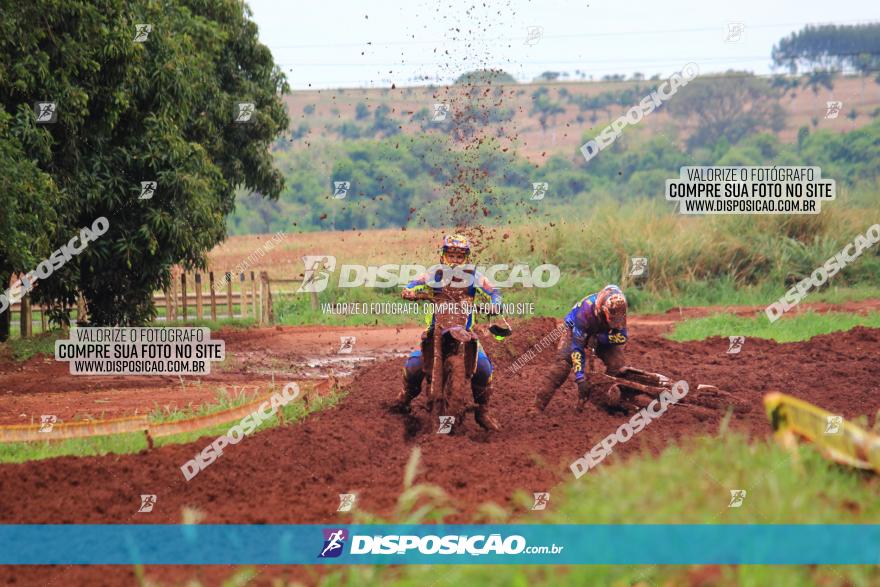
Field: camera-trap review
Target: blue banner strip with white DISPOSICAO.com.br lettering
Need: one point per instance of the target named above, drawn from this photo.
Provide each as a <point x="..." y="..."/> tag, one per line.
<point x="540" y="544"/>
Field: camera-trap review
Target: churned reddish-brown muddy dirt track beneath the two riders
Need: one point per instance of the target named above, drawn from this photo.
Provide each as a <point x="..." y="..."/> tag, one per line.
<point x="294" y="474"/>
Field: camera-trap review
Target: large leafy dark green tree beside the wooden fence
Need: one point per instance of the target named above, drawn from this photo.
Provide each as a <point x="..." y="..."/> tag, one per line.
<point x="162" y="110"/>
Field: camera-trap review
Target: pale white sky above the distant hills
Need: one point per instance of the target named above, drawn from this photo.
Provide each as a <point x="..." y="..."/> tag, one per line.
<point x="347" y="44"/>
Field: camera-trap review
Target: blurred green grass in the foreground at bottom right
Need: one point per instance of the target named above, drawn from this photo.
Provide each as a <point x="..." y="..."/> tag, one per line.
<point x="686" y="484"/>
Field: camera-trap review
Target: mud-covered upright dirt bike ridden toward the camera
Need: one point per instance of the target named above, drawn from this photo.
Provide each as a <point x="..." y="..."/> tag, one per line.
<point x="449" y="352"/>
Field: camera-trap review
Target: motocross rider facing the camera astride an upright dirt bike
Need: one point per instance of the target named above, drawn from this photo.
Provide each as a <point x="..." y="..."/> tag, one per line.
<point x="455" y="251"/>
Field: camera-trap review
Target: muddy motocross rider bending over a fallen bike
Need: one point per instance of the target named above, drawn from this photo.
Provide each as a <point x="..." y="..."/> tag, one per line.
<point x="597" y="321"/>
